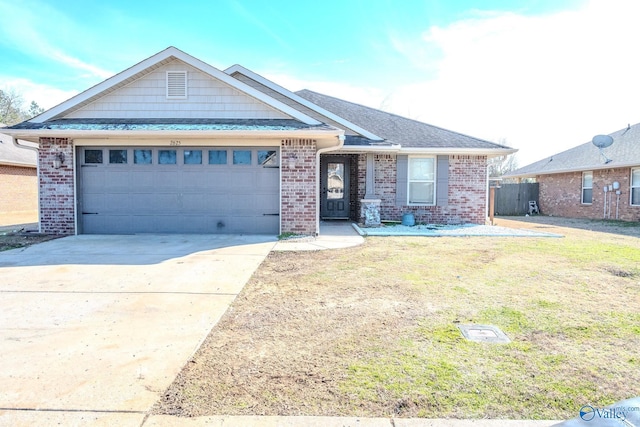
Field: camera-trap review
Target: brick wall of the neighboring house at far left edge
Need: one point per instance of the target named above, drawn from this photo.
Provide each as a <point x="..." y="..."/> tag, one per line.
<point x="18" y="189"/>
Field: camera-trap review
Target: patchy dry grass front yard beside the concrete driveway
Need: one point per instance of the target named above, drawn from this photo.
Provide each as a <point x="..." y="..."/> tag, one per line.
<point x="371" y="331"/>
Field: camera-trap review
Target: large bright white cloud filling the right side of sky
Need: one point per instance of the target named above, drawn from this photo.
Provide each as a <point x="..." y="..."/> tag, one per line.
<point x="544" y="83"/>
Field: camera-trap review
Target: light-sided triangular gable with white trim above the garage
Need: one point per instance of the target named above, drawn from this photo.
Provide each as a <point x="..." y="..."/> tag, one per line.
<point x="95" y="102"/>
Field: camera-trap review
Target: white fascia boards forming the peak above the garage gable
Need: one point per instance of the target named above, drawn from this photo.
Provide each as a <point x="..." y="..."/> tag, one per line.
<point x="194" y="62"/>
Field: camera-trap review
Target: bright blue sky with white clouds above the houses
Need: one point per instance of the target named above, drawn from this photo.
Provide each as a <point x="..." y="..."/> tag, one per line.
<point x="540" y="75"/>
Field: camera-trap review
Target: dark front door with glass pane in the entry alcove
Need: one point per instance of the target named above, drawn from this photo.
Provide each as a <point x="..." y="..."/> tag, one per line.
<point x="335" y="188"/>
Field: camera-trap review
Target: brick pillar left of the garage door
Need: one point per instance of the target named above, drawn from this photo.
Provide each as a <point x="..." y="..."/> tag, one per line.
<point x="56" y="187"/>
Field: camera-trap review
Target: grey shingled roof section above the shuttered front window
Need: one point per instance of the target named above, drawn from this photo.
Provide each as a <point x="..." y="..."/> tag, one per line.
<point x="396" y="129"/>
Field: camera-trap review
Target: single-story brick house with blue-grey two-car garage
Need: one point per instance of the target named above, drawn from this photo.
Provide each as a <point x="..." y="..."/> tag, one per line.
<point x="173" y="144"/>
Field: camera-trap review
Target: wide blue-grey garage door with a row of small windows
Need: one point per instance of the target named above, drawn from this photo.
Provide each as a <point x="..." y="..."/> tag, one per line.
<point x="178" y="190"/>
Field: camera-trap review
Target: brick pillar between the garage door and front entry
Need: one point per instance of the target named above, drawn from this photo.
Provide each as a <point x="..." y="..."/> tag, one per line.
<point x="298" y="187"/>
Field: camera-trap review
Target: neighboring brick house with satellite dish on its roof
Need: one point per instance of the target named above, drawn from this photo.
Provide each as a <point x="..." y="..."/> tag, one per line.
<point x="573" y="183"/>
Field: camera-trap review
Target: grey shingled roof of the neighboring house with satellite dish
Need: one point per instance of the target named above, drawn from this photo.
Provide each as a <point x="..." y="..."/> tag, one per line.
<point x="624" y="152"/>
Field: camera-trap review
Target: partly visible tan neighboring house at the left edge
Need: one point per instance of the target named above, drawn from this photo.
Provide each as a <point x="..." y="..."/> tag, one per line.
<point x="18" y="178"/>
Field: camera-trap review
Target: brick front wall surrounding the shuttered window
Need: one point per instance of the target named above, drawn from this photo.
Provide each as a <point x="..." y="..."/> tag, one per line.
<point x="467" y="191"/>
